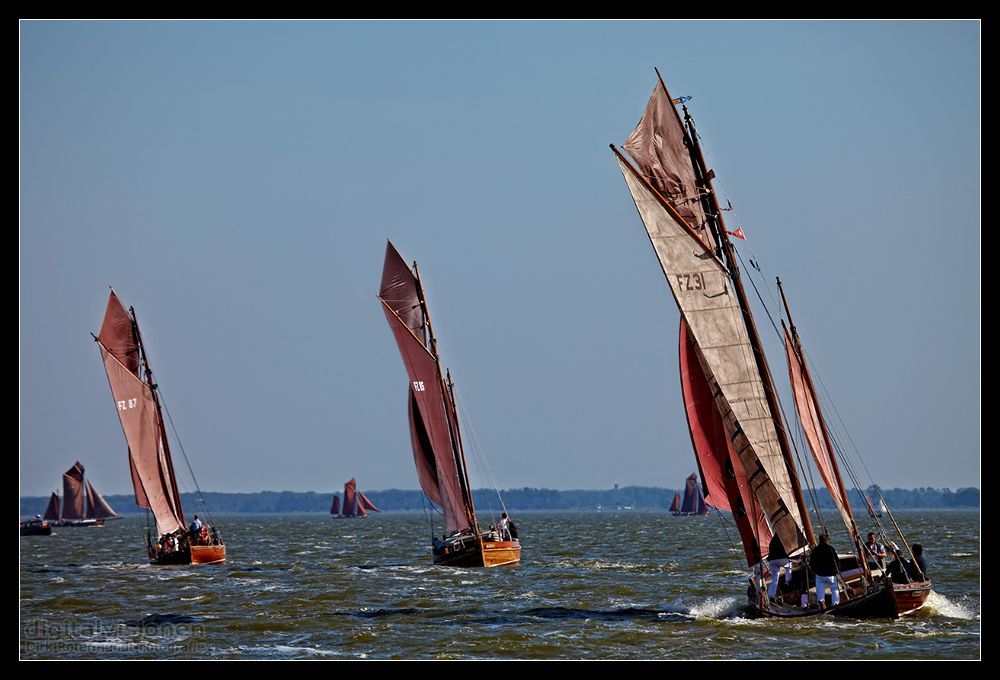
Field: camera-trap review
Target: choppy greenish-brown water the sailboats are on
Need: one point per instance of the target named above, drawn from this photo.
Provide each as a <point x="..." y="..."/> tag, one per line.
<point x="609" y="585"/>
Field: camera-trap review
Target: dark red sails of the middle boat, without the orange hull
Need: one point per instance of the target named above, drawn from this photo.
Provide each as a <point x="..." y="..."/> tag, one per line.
<point x="434" y="450"/>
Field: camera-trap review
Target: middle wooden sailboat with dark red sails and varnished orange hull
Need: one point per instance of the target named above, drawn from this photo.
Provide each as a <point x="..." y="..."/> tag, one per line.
<point x="434" y="429"/>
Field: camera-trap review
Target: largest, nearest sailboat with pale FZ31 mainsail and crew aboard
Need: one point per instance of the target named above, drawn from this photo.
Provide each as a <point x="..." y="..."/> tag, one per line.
<point x="737" y="433"/>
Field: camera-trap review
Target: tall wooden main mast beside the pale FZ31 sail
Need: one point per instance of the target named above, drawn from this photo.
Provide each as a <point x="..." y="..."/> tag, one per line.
<point x="718" y="226"/>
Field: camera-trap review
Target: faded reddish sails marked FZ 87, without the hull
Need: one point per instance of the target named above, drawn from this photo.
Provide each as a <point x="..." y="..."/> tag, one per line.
<point x="153" y="473"/>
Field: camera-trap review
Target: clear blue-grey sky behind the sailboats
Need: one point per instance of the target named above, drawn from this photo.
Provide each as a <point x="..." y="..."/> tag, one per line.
<point x="236" y="182"/>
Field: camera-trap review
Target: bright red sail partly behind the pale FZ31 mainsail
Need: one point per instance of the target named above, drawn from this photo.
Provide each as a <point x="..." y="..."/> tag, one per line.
<point x="720" y="466"/>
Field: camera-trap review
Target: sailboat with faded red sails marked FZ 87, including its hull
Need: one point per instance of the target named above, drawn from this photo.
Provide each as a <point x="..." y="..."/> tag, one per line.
<point x="151" y="465"/>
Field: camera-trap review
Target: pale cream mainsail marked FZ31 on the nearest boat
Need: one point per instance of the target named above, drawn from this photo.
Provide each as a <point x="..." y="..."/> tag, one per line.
<point x="701" y="287"/>
